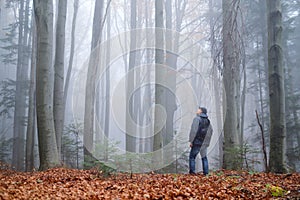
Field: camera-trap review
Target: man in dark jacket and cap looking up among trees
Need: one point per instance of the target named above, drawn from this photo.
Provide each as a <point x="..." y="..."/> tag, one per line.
<point x="200" y="135"/>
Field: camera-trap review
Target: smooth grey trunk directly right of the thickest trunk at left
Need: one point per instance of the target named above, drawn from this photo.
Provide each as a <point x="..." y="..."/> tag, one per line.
<point x="58" y="107"/>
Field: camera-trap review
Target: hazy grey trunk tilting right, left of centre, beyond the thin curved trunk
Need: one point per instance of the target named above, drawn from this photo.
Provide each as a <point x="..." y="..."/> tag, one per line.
<point x="88" y="138"/>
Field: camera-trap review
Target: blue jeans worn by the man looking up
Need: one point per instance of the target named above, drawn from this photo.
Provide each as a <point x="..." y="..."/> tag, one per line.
<point x="193" y="154"/>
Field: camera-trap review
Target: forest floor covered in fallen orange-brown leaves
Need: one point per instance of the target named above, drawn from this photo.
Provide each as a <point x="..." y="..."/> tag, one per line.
<point x="61" y="183"/>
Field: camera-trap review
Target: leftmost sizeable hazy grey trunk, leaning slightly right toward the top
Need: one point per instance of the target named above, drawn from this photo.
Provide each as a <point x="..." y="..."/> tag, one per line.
<point x="21" y="87"/>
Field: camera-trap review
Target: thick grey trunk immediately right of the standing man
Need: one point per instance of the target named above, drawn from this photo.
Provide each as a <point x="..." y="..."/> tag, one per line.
<point x="231" y="71"/>
